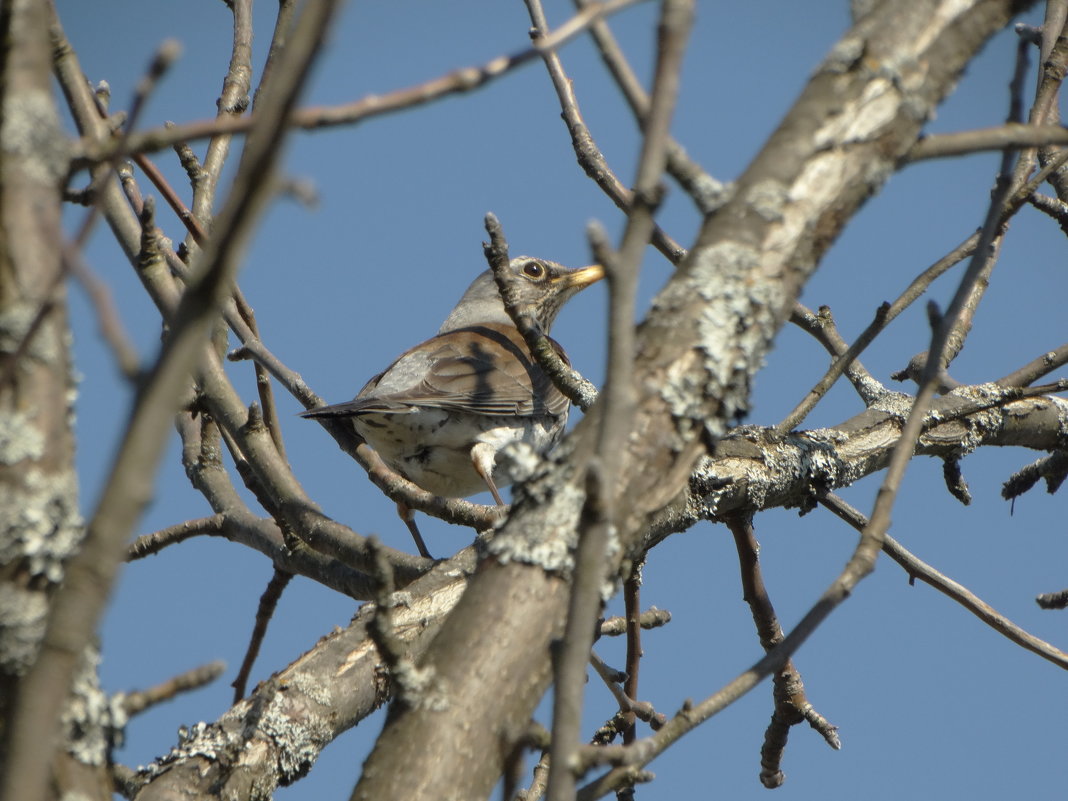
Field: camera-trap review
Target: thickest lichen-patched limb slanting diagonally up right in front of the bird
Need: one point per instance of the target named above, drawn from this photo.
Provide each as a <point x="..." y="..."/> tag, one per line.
<point x="698" y="351"/>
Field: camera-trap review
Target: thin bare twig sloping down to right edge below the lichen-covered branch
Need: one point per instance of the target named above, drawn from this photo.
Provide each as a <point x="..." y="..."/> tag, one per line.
<point x="920" y="570"/>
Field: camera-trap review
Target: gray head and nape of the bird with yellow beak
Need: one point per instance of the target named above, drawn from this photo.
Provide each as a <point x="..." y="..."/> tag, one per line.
<point x="544" y="286"/>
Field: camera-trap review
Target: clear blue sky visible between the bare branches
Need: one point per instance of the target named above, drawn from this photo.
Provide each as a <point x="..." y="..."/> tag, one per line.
<point x="931" y="703"/>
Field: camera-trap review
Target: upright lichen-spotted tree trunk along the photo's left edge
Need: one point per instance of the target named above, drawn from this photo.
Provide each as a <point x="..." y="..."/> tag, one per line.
<point x="40" y="523"/>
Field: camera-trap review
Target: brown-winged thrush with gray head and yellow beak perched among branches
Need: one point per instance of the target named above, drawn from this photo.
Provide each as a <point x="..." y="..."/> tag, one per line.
<point x="445" y="410"/>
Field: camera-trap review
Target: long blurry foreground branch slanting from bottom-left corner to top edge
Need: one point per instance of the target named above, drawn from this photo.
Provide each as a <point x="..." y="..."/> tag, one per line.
<point x="90" y="574"/>
